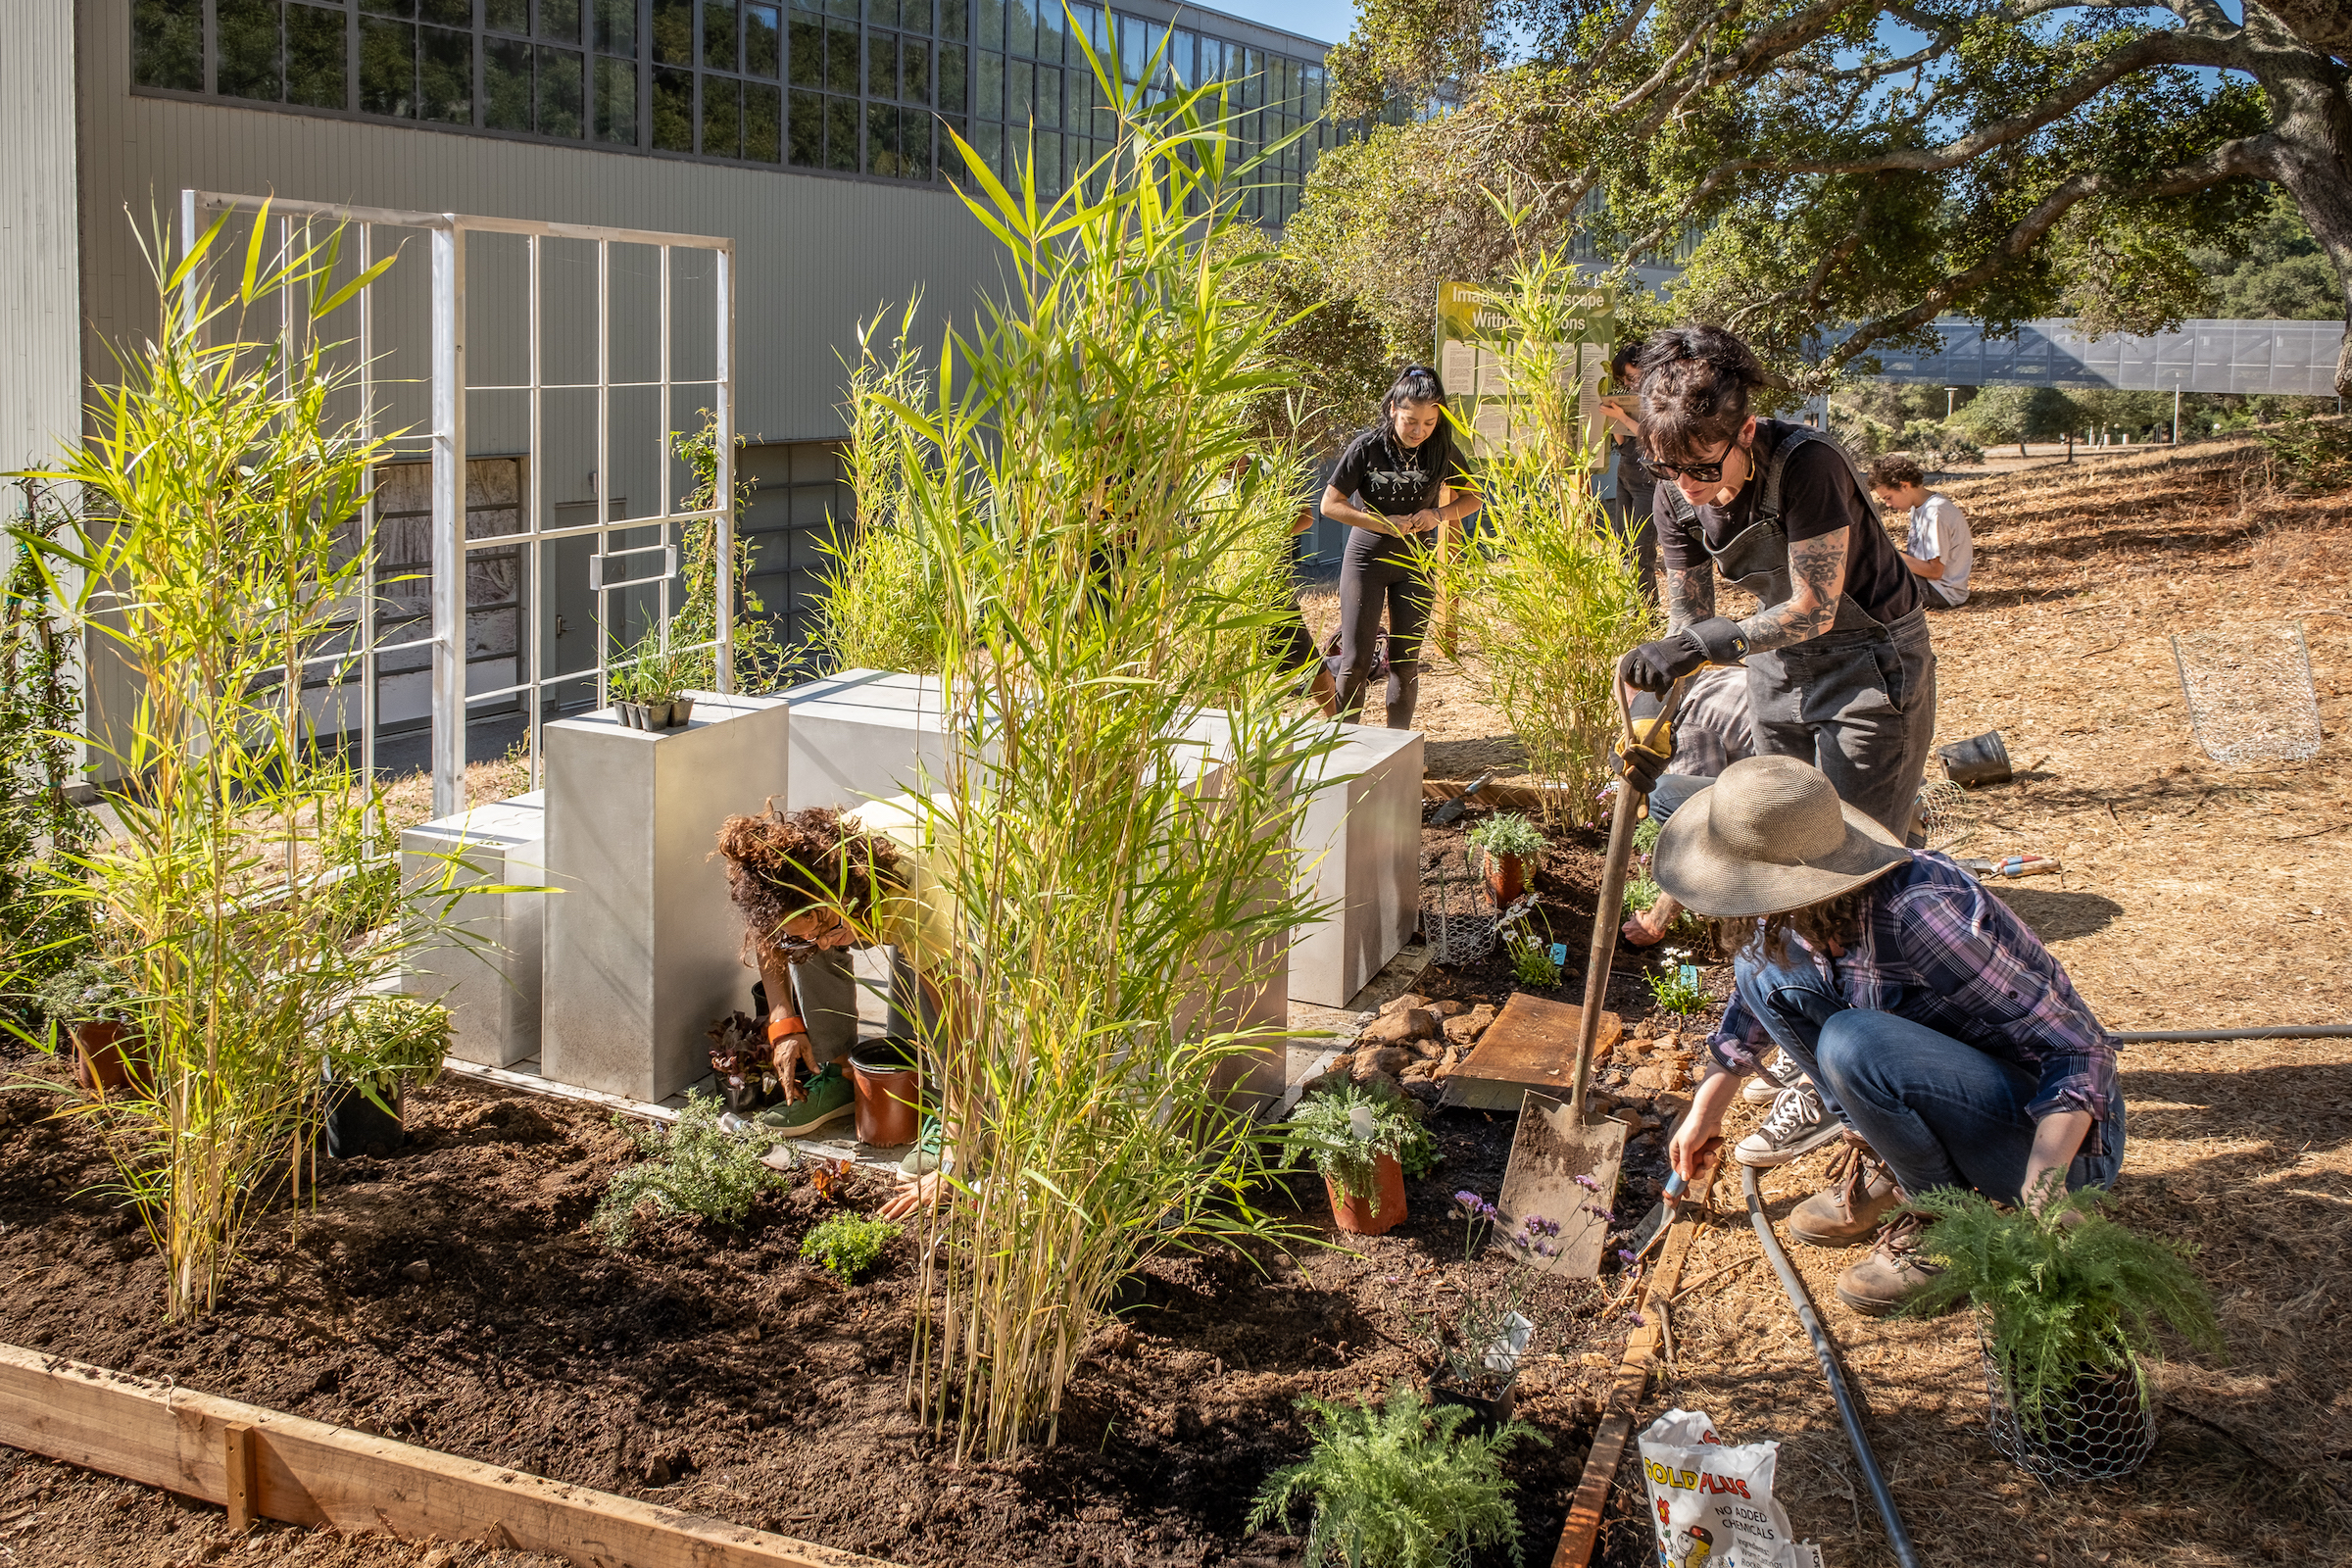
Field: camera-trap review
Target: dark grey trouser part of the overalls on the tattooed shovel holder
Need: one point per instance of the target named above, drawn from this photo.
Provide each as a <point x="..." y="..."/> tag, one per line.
<point x="1859" y="706"/>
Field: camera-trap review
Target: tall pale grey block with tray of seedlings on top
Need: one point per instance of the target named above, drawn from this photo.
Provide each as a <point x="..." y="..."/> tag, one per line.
<point x="643" y="946"/>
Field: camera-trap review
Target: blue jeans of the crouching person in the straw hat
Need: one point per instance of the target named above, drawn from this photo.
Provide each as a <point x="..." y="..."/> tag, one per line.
<point x="1937" y="1111"/>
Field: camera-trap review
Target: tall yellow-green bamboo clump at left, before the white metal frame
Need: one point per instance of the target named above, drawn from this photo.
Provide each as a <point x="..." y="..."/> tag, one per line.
<point x="236" y="892"/>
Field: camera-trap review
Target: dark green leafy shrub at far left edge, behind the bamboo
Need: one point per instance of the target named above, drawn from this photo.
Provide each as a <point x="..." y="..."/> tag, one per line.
<point x="41" y="826"/>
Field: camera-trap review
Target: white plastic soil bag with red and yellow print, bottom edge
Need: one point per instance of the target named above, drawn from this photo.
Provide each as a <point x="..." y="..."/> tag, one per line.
<point x="1711" y="1503"/>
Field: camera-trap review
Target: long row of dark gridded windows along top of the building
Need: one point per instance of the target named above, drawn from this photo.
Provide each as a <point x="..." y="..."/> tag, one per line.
<point x="838" y="86"/>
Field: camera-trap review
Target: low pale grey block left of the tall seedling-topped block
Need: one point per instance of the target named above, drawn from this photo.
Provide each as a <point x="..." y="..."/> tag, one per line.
<point x="488" y="972"/>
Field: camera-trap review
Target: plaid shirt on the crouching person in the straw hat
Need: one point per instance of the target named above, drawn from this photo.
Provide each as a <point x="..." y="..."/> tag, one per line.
<point x="1942" y="951"/>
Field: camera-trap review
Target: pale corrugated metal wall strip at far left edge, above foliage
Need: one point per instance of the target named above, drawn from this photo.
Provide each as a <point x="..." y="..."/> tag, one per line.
<point x="41" y="288"/>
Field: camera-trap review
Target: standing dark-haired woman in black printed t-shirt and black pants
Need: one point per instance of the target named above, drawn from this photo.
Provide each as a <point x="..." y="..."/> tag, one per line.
<point x="1391" y="485"/>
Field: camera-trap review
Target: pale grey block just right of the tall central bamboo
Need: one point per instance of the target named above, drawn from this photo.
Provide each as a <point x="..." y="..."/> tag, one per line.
<point x="1361" y="850"/>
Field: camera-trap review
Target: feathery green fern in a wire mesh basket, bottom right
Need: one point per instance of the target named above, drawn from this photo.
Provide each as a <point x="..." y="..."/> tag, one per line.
<point x="2066" y="1308"/>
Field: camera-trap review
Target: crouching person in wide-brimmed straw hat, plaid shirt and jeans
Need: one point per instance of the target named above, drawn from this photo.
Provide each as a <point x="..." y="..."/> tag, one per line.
<point x="1937" y="1026"/>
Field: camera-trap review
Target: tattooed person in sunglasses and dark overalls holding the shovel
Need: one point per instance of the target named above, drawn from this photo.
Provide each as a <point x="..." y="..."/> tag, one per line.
<point x="1840" y="671"/>
